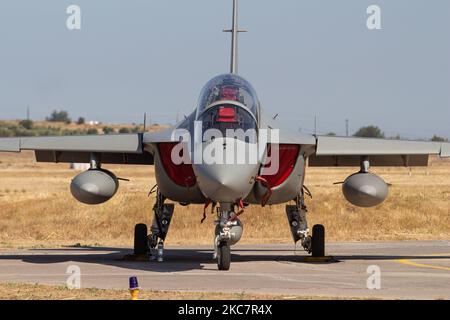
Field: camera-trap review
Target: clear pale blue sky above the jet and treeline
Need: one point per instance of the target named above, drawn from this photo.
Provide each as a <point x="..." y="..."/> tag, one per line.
<point x="306" y="58"/>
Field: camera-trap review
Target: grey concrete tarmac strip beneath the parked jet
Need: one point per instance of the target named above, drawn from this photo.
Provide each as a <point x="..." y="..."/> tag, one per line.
<point x="407" y="269"/>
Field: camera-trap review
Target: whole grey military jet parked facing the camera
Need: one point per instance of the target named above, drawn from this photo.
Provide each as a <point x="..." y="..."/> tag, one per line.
<point x="198" y="161"/>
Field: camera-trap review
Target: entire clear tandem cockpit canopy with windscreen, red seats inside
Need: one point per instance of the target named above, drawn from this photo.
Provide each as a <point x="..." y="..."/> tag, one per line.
<point x="228" y="102"/>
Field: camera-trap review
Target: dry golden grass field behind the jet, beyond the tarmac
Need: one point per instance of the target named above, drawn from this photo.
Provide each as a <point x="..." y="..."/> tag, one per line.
<point x="37" y="209"/>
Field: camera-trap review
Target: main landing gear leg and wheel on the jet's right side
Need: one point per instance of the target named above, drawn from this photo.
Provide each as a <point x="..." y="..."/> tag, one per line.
<point x="296" y="214"/>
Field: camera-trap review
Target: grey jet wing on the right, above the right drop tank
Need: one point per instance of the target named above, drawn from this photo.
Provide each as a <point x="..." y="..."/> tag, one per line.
<point x="343" y="151"/>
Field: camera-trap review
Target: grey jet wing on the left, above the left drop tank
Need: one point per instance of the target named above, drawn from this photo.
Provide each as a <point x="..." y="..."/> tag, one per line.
<point x="114" y="148"/>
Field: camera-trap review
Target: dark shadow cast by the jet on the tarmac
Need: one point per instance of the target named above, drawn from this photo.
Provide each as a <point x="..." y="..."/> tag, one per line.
<point x="183" y="259"/>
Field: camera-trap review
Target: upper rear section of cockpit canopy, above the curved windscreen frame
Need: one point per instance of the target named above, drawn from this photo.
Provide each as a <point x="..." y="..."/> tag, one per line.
<point x="228" y="87"/>
